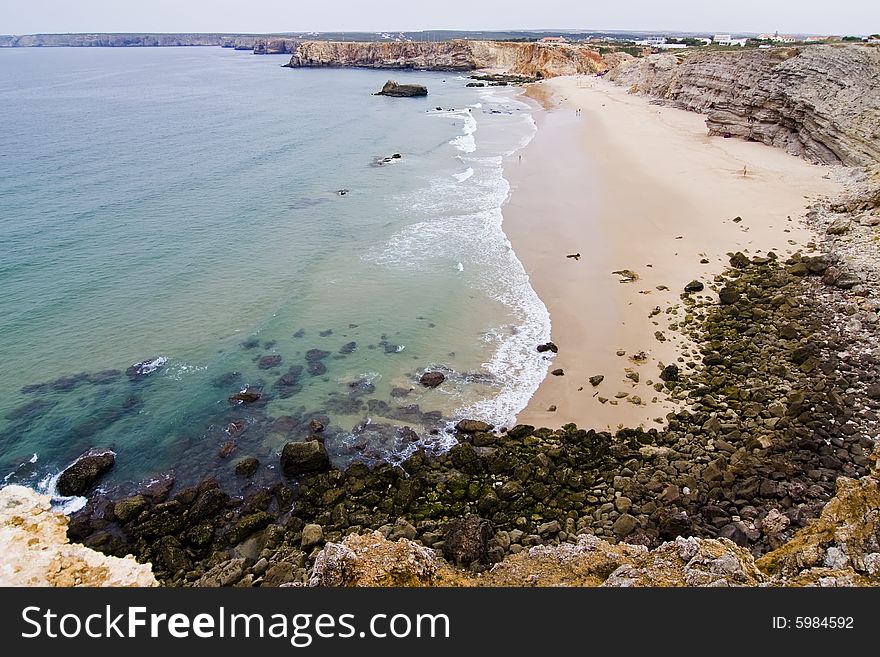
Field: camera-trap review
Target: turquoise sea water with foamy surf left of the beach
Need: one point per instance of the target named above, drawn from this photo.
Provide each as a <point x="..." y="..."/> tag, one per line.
<point x="183" y="205"/>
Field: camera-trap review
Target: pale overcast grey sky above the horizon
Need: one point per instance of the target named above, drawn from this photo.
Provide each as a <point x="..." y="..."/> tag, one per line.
<point x="801" y="16"/>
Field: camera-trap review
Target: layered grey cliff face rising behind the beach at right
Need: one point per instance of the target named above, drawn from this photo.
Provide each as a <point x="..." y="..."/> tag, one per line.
<point x="819" y="102"/>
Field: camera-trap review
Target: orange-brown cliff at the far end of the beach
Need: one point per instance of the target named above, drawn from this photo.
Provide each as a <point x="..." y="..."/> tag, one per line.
<point x="532" y="59"/>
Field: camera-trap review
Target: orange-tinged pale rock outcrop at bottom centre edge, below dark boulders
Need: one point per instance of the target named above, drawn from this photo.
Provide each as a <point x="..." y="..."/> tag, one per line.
<point x="371" y="560"/>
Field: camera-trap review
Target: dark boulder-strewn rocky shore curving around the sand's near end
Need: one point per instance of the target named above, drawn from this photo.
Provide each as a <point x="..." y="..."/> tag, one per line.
<point x="782" y="402"/>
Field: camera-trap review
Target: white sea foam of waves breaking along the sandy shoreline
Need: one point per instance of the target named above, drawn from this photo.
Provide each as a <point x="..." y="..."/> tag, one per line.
<point x="464" y="224"/>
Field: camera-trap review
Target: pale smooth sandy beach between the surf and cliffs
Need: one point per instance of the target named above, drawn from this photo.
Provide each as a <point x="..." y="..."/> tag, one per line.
<point x="638" y="187"/>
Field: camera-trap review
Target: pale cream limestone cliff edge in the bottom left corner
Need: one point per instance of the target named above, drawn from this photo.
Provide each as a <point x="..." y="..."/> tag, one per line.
<point x="36" y="551"/>
